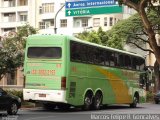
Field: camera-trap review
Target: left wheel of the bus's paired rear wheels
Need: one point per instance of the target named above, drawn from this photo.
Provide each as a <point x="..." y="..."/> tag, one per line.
<point x="87" y="101"/>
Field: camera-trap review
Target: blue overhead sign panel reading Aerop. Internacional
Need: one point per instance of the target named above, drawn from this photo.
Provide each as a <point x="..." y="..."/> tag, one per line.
<point x="88" y="3"/>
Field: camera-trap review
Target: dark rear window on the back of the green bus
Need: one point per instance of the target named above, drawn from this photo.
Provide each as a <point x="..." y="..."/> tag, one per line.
<point x="44" y="52"/>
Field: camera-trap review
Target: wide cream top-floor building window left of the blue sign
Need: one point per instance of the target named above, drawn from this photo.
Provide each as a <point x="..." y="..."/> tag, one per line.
<point x="47" y="7"/>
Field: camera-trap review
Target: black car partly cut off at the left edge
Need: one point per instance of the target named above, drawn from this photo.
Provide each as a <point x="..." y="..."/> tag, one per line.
<point x="9" y="102"/>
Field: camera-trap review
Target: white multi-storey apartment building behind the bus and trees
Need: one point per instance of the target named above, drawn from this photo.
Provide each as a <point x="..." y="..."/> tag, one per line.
<point x="41" y="14"/>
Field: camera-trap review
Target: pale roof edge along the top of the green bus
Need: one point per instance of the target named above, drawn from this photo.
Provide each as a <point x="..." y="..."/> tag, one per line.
<point x="85" y="42"/>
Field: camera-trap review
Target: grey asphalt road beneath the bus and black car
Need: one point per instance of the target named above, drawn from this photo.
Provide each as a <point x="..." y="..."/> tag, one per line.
<point x="145" y="111"/>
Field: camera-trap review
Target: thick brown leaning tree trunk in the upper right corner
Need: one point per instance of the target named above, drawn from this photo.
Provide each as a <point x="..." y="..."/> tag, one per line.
<point x="140" y="6"/>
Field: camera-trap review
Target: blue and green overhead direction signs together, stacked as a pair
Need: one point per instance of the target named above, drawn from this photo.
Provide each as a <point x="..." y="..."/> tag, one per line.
<point x="91" y="7"/>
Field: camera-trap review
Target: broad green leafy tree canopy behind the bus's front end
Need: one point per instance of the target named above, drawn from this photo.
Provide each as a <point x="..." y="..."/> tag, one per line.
<point x="132" y="32"/>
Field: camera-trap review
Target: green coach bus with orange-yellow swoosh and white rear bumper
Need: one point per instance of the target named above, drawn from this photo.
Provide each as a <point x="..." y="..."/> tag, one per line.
<point x="64" y="71"/>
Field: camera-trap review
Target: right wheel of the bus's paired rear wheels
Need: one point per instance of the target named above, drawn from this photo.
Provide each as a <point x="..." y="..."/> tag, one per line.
<point x="97" y="103"/>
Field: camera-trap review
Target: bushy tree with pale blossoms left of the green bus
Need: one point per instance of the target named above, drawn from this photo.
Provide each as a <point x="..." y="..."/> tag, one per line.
<point x="12" y="49"/>
